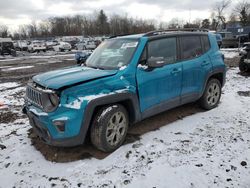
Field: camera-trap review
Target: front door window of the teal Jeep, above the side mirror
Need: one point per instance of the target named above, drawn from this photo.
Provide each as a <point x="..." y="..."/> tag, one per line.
<point x="165" y="48"/>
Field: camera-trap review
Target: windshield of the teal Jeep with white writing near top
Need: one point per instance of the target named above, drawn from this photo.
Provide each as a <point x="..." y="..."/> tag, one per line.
<point x="112" y="54"/>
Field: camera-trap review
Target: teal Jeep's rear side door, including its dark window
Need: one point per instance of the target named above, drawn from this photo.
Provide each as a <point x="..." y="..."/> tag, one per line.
<point x="196" y="65"/>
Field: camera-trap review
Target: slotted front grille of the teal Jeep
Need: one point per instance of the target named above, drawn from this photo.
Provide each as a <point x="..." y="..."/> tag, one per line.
<point x="34" y="96"/>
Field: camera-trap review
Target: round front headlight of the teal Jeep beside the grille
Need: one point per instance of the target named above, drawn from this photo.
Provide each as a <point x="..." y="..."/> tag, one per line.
<point x="50" y="102"/>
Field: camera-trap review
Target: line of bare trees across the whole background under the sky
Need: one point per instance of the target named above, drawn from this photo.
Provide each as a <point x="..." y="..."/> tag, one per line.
<point x="99" y="24"/>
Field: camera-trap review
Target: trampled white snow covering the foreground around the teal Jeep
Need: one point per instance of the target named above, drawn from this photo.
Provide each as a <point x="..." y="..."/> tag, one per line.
<point x="207" y="149"/>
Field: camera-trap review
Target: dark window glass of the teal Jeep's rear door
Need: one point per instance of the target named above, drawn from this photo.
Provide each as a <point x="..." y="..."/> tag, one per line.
<point x="191" y="47"/>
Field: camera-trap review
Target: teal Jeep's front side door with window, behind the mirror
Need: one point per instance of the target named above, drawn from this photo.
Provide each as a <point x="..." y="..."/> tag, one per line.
<point x="160" y="85"/>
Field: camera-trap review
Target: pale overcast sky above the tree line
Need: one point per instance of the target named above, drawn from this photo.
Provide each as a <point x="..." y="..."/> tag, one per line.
<point x="16" y="12"/>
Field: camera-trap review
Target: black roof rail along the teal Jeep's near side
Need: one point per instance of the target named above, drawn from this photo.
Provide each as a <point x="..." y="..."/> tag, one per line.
<point x="160" y="32"/>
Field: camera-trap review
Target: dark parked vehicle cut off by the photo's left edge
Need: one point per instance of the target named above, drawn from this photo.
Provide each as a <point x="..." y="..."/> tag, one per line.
<point x="7" y="47"/>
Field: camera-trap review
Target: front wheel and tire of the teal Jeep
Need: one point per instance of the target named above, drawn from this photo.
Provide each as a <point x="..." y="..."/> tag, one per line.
<point x="107" y="134"/>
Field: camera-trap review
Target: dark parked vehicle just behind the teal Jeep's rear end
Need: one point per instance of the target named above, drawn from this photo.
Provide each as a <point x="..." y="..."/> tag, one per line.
<point x="228" y="40"/>
